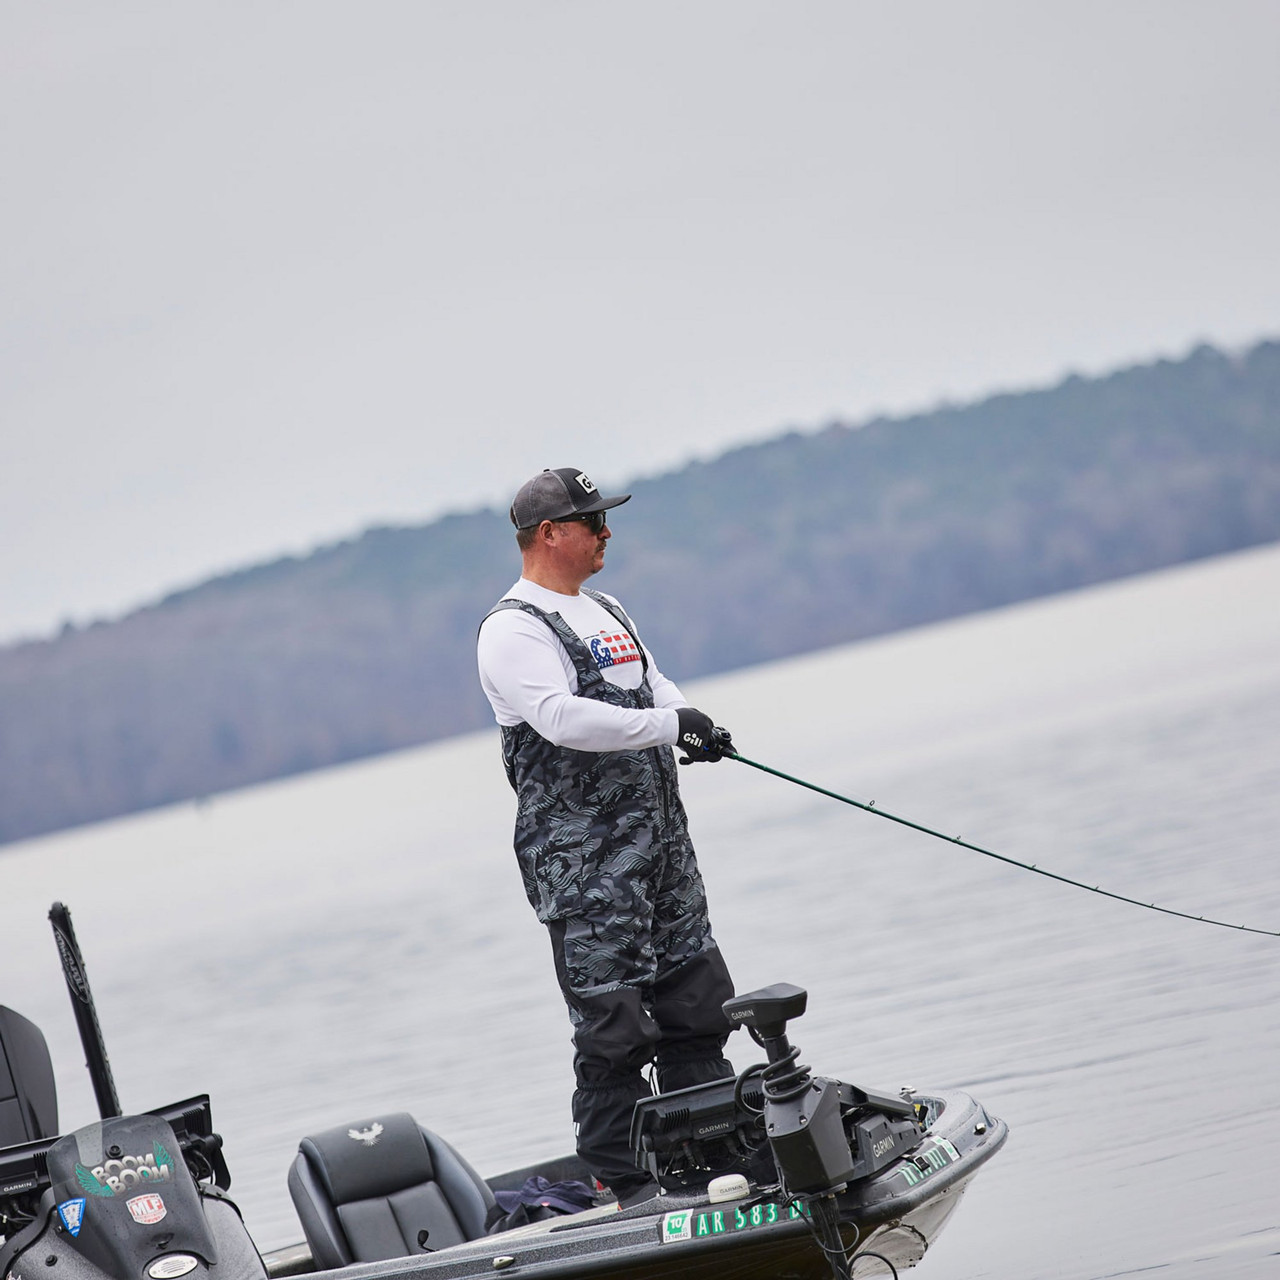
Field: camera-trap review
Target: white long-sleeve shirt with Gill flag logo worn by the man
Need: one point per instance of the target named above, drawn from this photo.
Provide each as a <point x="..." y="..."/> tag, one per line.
<point x="528" y="676"/>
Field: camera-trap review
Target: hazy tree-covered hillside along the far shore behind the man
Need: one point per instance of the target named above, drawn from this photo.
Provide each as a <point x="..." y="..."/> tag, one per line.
<point x="769" y="551"/>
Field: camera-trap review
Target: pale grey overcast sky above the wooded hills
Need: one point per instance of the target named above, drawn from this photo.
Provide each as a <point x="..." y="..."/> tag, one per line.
<point x="272" y="273"/>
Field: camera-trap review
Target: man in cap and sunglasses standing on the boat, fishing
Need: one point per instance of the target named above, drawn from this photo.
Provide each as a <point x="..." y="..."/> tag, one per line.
<point x="588" y="723"/>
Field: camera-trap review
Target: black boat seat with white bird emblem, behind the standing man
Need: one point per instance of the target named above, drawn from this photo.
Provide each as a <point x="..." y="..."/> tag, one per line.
<point x="385" y="1188"/>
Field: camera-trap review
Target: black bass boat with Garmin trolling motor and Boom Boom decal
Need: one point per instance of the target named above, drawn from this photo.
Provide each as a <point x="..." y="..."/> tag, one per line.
<point x="776" y="1173"/>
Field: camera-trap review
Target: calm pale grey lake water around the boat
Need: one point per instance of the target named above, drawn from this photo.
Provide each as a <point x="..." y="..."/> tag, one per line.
<point x="355" y="941"/>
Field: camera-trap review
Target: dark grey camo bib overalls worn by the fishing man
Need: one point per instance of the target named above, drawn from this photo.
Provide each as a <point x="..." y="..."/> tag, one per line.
<point x="604" y="848"/>
